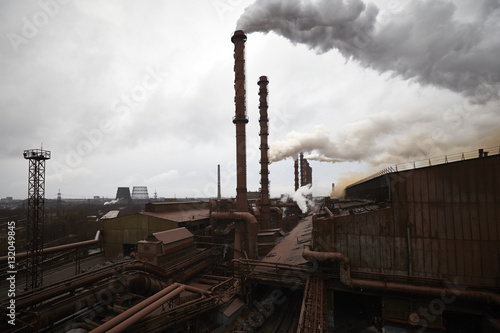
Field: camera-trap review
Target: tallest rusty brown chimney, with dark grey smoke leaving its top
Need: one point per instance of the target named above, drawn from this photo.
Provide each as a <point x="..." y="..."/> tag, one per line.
<point x="240" y="120"/>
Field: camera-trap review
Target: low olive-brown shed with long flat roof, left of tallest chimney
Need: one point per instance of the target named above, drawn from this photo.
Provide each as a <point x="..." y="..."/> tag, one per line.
<point x="122" y="234"/>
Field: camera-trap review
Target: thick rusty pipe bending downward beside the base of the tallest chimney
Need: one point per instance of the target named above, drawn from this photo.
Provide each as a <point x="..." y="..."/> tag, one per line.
<point x="252" y="228"/>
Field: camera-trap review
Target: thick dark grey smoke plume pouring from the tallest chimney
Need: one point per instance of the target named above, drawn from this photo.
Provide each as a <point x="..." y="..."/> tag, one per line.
<point x="424" y="41"/>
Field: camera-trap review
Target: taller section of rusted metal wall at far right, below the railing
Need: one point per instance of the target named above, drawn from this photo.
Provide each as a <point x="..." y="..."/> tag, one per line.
<point x="453" y="212"/>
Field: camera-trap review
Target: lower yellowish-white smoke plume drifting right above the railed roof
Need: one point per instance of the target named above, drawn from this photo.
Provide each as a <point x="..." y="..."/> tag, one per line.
<point x="396" y="137"/>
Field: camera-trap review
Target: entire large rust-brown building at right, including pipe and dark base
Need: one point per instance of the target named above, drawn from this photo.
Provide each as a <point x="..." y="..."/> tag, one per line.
<point x="418" y="237"/>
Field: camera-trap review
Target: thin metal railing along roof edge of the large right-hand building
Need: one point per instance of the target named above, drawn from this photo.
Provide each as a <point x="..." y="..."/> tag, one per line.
<point x="443" y="159"/>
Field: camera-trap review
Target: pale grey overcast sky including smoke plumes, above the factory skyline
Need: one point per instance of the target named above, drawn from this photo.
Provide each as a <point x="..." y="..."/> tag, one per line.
<point x="128" y="93"/>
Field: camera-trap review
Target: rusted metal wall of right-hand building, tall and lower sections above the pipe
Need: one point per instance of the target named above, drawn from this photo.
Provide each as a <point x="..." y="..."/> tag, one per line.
<point x="451" y="215"/>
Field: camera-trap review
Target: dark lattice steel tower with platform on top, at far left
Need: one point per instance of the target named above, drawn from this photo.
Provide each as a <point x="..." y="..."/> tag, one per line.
<point x="36" y="216"/>
